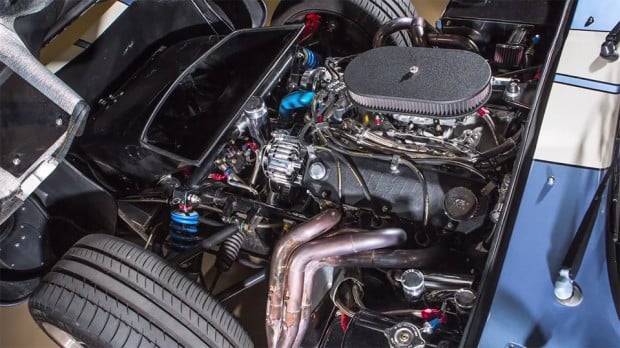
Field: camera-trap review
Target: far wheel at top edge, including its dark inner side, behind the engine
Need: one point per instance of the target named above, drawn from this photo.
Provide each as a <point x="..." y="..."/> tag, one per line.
<point x="346" y="26"/>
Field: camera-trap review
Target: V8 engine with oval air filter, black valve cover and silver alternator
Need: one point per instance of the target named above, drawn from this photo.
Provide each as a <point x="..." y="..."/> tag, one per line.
<point x="409" y="111"/>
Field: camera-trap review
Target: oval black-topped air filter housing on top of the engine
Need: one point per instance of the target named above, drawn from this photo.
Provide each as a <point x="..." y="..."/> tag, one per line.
<point x="431" y="82"/>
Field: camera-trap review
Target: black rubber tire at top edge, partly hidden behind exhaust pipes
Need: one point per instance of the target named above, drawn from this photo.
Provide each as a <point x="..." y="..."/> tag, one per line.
<point x="370" y="15"/>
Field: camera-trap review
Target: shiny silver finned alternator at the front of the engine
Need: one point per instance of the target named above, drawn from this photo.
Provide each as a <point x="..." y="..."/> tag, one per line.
<point x="284" y="160"/>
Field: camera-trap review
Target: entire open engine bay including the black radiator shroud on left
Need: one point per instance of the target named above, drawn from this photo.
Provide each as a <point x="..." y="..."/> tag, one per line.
<point x="364" y="188"/>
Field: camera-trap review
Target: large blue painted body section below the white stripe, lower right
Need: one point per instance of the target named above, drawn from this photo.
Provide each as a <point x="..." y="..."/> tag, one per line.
<point x="524" y="309"/>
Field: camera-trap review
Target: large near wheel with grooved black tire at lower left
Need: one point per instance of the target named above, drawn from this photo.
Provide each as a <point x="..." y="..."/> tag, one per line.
<point x="107" y="292"/>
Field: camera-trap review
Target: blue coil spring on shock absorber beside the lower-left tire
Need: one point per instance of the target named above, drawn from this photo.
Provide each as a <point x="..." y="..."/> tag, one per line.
<point x="183" y="233"/>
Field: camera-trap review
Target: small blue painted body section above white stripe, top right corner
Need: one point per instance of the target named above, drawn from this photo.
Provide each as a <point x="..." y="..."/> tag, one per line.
<point x="606" y="14"/>
